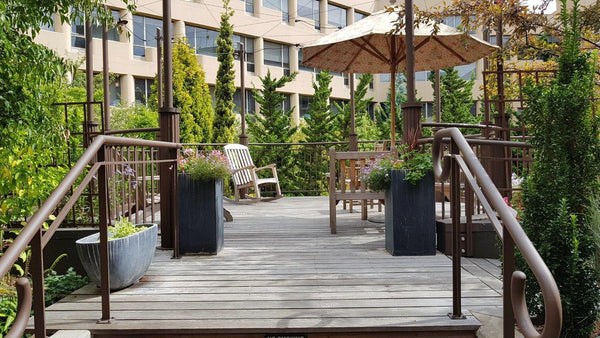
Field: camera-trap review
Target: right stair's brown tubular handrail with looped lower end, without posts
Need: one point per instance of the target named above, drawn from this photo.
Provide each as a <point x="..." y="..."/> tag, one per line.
<point x="550" y="292"/>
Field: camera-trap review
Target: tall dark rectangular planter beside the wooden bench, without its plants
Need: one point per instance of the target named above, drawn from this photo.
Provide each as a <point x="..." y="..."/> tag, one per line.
<point x="410" y="216"/>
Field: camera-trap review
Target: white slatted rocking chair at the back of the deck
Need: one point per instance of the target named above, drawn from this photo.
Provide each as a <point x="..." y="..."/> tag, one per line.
<point x="245" y="174"/>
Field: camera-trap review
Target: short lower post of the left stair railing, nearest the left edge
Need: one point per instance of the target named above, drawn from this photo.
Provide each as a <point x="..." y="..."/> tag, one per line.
<point x="37" y="276"/>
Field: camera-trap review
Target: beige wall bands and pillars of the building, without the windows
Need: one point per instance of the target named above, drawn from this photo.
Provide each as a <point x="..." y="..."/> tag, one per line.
<point x="264" y="25"/>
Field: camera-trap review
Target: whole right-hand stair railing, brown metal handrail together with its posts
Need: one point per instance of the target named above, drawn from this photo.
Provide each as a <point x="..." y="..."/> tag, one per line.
<point x="462" y="158"/>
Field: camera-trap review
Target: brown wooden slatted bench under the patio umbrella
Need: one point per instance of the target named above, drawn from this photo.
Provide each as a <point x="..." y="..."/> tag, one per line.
<point x="344" y="180"/>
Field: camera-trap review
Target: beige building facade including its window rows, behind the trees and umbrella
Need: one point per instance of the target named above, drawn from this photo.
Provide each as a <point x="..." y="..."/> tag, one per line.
<point x="272" y="32"/>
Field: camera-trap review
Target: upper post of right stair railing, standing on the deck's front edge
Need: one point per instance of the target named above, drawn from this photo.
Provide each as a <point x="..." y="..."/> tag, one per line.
<point x="455" y="214"/>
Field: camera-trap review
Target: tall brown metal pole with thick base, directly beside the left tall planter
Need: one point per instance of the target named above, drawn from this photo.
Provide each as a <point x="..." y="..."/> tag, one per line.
<point x="169" y="132"/>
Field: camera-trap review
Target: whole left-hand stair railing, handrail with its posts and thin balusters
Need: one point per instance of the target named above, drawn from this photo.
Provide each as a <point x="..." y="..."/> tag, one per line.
<point x="105" y="156"/>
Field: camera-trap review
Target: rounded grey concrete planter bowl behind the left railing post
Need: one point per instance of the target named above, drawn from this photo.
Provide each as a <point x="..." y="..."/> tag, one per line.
<point x="129" y="257"/>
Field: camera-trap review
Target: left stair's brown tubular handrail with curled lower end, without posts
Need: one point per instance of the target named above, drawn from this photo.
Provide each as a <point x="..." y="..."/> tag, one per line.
<point x="34" y="224"/>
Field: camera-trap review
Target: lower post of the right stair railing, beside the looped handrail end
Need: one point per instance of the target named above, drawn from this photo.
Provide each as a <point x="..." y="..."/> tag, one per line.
<point x="508" y="265"/>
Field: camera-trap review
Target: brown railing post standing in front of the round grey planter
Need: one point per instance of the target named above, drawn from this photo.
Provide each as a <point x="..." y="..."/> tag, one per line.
<point x="104" y="255"/>
